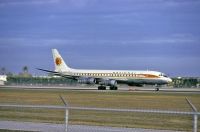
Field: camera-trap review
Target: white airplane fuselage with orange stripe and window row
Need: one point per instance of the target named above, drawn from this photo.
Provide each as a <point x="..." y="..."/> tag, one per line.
<point x="125" y="76"/>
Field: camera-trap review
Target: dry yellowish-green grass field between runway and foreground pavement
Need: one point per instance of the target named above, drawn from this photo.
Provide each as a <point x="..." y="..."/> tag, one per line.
<point x="114" y="99"/>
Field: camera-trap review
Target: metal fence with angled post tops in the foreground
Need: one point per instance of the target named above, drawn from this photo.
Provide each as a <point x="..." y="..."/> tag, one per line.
<point x="194" y="114"/>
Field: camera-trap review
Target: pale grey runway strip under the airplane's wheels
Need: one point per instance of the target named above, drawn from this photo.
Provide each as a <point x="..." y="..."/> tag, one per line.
<point x="94" y="88"/>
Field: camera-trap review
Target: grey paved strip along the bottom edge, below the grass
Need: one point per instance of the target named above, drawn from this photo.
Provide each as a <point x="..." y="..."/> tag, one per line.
<point x="48" y="127"/>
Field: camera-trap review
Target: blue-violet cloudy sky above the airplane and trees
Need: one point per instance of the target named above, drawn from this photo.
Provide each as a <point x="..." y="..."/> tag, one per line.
<point x="160" y="35"/>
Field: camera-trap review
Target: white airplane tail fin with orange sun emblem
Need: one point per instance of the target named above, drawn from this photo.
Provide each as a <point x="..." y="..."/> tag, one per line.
<point x="60" y="65"/>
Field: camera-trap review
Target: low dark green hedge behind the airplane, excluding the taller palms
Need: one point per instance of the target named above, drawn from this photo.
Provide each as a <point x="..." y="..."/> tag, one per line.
<point x="20" y="80"/>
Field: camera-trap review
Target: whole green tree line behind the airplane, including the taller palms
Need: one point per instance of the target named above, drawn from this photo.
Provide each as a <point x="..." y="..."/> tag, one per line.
<point x="25" y="78"/>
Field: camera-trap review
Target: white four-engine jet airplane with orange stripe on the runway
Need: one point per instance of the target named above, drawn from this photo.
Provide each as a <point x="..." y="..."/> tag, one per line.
<point x="106" y="78"/>
